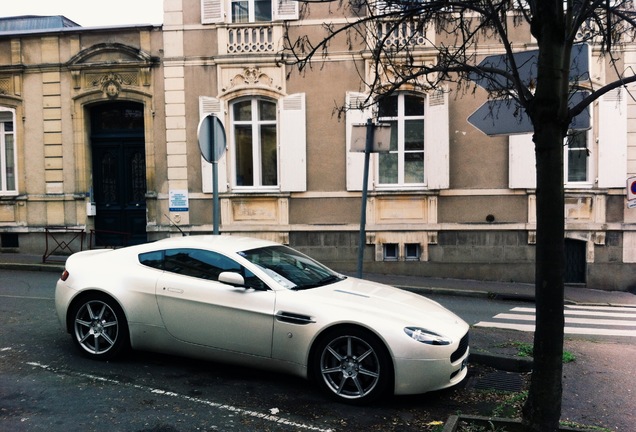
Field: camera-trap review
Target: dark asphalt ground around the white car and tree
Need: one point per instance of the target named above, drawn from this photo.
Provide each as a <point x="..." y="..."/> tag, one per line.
<point x="45" y="385"/>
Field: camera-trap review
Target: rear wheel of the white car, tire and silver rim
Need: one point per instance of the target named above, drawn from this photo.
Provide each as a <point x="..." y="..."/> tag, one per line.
<point x="98" y="327"/>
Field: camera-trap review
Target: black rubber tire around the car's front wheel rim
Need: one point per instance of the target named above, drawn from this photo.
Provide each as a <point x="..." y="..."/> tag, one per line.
<point x="384" y="385"/>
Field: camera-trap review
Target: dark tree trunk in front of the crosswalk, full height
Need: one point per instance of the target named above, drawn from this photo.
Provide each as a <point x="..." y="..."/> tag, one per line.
<point x="549" y="113"/>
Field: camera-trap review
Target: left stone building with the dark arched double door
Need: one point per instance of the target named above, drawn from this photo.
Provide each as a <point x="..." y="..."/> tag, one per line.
<point x="78" y="133"/>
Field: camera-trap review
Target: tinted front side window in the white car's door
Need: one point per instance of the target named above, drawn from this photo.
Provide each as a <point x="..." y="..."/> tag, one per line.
<point x="208" y="265"/>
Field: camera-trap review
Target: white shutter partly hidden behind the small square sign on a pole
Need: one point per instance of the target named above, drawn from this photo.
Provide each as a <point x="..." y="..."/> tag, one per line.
<point x="355" y="160"/>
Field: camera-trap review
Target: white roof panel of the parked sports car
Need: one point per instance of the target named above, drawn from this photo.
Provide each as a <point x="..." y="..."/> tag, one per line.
<point x="227" y="243"/>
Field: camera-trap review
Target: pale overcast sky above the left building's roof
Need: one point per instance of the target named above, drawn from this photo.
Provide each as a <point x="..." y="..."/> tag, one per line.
<point x="90" y="13"/>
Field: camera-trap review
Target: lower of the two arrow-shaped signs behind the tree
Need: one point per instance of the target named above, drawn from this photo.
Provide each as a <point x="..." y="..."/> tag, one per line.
<point x="505" y="117"/>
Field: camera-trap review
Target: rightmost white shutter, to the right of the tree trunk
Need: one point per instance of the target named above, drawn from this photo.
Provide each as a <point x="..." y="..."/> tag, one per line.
<point x="612" y="140"/>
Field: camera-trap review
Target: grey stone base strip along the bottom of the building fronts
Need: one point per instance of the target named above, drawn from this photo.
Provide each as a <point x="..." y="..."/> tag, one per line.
<point x="506" y="256"/>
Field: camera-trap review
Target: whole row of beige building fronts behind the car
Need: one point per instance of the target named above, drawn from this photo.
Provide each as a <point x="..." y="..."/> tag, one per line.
<point x="104" y="140"/>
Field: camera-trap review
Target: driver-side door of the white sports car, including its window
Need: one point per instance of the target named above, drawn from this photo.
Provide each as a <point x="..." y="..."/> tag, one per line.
<point x="198" y="309"/>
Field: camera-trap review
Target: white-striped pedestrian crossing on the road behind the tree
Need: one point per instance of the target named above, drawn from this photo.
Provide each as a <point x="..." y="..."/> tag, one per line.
<point x="581" y="320"/>
